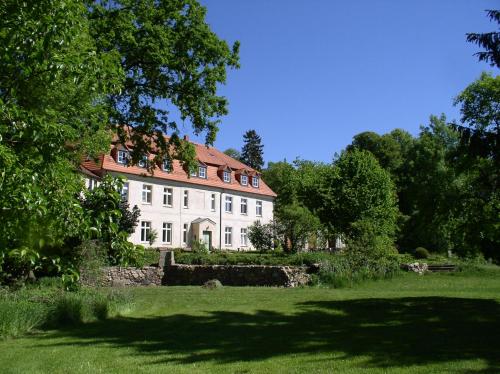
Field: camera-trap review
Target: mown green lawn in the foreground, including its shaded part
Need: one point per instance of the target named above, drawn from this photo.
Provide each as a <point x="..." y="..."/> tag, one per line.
<point x="411" y="324"/>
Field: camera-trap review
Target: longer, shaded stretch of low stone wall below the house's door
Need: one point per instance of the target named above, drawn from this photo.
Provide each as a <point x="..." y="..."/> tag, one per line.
<point x="232" y="275"/>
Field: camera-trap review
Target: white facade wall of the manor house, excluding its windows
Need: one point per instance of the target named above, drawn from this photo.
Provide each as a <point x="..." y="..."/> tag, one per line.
<point x="199" y="206"/>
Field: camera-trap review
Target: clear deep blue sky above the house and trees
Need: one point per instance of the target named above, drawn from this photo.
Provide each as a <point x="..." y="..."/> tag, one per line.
<point x="315" y="73"/>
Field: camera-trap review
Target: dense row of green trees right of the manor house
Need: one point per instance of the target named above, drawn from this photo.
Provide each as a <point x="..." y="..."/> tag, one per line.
<point x="438" y="190"/>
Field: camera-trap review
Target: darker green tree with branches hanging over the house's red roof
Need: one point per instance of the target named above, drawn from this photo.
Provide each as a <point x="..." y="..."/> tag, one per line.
<point x="168" y="54"/>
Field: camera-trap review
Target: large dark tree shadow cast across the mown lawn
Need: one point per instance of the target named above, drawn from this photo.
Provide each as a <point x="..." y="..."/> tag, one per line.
<point x="390" y="332"/>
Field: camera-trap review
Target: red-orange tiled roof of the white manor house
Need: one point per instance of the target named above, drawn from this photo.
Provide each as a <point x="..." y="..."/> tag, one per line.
<point x="210" y="156"/>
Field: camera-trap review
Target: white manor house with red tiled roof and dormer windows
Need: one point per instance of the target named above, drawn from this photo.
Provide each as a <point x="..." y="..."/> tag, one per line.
<point x="215" y="205"/>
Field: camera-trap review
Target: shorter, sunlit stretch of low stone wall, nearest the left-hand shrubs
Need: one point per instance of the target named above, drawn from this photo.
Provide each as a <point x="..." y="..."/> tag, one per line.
<point x="116" y="276"/>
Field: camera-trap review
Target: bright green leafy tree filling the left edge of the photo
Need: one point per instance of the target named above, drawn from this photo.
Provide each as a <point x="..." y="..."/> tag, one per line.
<point x="53" y="83"/>
